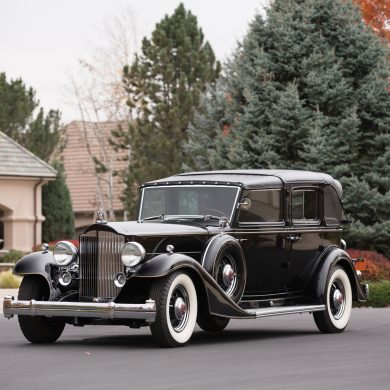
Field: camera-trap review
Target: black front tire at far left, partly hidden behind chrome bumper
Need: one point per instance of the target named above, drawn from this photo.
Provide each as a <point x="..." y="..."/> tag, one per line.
<point x="38" y="330"/>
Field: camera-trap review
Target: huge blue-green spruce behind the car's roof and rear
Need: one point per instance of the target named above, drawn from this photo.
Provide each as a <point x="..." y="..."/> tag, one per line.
<point x="309" y="89"/>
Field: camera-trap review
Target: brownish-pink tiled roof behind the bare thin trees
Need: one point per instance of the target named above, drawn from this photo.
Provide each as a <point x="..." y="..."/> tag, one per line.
<point x="81" y="143"/>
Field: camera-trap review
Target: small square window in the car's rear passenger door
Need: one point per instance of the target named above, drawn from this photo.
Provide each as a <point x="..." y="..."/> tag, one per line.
<point x="305" y="205"/>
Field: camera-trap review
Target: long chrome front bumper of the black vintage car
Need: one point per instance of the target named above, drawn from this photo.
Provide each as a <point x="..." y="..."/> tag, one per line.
<point x="111" y="310"/>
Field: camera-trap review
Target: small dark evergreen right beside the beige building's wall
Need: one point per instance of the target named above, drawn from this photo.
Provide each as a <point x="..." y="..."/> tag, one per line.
<point x="57" y="208"/>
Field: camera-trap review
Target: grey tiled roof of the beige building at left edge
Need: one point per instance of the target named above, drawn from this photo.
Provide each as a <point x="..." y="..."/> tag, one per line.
<point x="18" y="161"/>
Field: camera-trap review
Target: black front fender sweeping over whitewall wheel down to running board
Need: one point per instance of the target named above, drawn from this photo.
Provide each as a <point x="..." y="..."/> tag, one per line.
<point x="218" y="302"/>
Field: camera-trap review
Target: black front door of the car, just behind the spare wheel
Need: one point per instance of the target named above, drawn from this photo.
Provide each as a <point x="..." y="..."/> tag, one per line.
<point x="260" y="230"/>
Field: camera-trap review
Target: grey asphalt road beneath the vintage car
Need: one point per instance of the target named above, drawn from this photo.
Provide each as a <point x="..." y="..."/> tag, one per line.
<point x="272" y="353"/>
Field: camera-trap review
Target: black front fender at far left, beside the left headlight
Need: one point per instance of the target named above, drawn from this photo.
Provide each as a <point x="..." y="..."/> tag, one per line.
<point x="36" y="263"/>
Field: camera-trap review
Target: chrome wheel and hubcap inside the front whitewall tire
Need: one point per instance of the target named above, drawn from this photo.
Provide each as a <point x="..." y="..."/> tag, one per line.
<point x="179" y="308"/>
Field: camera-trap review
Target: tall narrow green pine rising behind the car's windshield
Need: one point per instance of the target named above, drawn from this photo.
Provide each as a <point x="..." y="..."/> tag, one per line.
<point x="164" y="84"/>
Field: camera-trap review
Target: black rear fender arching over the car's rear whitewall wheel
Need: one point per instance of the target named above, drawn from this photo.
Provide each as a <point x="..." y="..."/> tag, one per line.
<point x="332" y="257"/>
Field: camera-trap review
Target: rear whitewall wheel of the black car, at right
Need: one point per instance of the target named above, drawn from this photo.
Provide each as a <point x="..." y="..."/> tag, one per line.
<point x="338" y="303"/>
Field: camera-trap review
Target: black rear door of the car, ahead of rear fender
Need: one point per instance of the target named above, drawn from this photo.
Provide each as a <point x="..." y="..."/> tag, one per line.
<point x="303" y="236"/>
